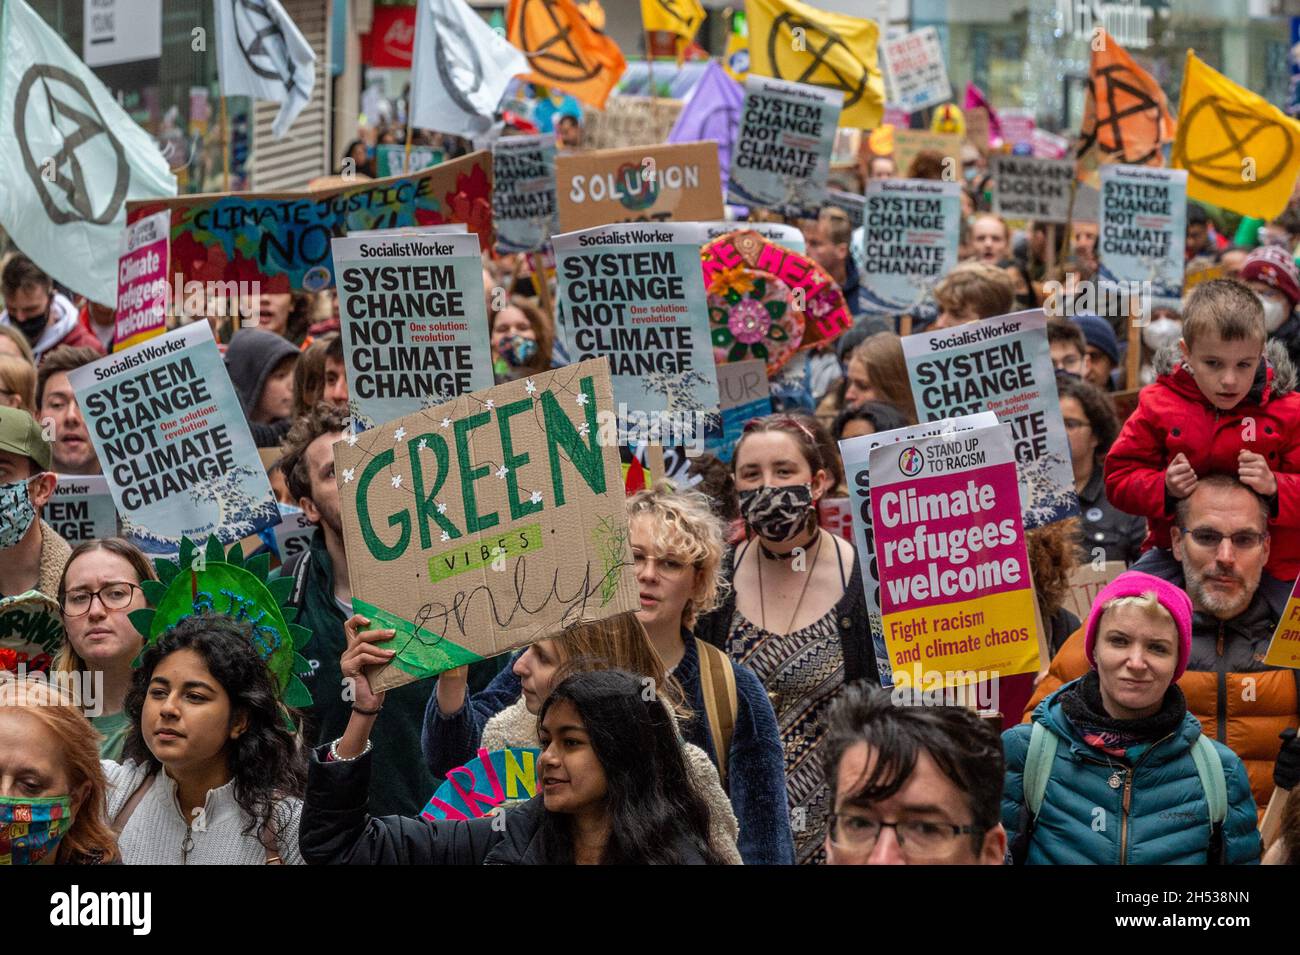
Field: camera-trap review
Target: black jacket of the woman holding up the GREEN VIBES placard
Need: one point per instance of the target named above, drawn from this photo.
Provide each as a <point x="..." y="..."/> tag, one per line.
<point x="337" y="831"/>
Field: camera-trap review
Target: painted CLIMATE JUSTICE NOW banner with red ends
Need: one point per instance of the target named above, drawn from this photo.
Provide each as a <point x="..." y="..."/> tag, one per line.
<point x="281" y="241"/>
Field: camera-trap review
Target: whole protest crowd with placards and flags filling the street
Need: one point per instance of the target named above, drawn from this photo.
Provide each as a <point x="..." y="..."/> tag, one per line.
<point x="833" y="485"/>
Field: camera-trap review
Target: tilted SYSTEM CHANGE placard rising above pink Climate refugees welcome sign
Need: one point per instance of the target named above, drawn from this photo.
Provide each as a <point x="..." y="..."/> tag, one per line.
<point x="1002" y="366"/>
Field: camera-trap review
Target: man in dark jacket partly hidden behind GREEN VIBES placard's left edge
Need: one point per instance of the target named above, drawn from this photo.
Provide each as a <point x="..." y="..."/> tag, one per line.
<point x="323" y="596"/>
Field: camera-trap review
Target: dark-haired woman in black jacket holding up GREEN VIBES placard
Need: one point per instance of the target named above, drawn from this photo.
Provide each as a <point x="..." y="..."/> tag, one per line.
<point x="616" y="787"/>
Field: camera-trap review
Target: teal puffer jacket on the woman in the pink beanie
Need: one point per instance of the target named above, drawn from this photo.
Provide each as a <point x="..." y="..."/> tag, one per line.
<point x="1084" y="819"/>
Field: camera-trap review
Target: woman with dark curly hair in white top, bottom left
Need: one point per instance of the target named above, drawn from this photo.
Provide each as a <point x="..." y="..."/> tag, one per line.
<point x="214" y="771"/>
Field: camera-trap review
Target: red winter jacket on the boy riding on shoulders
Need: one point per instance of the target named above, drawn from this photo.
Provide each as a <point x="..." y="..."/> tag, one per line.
<point x="1173" y="416"/>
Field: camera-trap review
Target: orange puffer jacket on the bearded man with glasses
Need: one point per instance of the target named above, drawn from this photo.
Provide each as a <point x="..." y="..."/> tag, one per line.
<point x="1240" y="700"/>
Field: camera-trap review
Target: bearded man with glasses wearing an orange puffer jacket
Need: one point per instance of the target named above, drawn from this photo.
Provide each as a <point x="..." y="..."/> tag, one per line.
<point x="1221" y="545"/>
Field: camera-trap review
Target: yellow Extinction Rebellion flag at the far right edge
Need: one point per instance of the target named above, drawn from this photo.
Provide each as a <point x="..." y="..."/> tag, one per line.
<point x="1241" y="153"/>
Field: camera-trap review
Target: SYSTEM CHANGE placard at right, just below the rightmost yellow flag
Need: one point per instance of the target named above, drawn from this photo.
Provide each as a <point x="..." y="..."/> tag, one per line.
<point x="1145" y="232"/>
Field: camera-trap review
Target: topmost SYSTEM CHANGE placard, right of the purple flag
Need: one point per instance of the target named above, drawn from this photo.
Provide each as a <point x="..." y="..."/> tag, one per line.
<point x="782" y="157"/>
